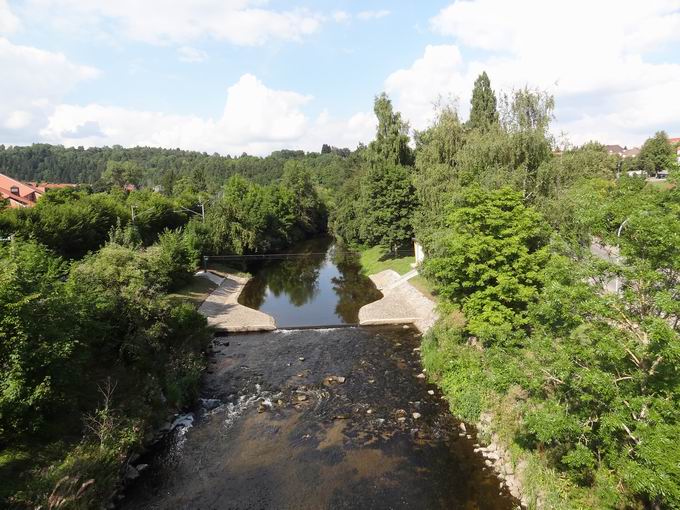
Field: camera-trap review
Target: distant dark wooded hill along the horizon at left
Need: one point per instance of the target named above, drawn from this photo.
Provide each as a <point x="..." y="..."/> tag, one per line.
<point x="177" y="171"/>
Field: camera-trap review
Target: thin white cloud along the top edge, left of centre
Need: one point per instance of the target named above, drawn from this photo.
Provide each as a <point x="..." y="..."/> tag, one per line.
<point x="241" y="22"/>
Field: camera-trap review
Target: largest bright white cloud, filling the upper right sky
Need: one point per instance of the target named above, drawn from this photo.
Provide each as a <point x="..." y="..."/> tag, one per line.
<point x="594" y="56"/>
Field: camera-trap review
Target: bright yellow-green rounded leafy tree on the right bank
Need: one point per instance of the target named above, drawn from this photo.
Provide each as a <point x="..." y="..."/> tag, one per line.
<point x="489" y="259"/>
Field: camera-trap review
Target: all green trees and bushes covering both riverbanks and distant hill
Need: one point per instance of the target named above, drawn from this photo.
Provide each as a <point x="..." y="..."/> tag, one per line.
<point x="580" y="381"/>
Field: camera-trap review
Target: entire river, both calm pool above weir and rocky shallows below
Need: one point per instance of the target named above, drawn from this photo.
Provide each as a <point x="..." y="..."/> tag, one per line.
<point x="317" y="418"/>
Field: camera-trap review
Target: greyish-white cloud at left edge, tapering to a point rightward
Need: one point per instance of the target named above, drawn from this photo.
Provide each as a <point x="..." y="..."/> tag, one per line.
<point x="33" y="82"/>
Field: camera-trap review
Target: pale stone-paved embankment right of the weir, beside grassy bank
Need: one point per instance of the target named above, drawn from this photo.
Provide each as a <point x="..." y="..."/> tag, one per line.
<point x="402" y="303"/>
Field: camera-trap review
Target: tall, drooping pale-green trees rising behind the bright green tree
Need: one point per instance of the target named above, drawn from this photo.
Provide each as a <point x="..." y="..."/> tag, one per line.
<point x="511" y="149"/>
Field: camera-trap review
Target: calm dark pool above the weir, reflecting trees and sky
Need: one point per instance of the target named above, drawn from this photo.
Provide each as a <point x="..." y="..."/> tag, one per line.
<point x="321" y="285"/>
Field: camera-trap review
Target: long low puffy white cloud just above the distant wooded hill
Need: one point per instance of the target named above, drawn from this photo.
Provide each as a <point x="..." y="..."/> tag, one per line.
<point x="256" y="120"/>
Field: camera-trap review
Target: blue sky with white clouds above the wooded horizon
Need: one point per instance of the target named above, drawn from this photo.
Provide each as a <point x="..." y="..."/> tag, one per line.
<point x="234" y="76"/>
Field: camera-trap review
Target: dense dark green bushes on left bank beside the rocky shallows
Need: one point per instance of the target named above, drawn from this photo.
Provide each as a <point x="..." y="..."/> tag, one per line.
<point x="67" y="331"/>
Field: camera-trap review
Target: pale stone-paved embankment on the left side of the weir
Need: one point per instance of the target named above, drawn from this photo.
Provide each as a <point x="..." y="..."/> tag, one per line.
<point x="224" y="312"/>
